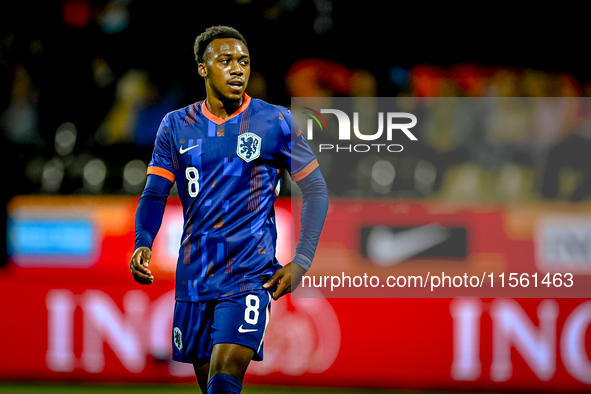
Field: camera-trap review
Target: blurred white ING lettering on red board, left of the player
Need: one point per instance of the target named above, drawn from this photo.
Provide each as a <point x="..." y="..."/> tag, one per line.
<point x="104" y="322"/>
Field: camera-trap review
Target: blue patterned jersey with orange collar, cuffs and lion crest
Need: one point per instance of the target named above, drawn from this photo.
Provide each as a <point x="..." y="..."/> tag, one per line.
<point x="228" y="174"/>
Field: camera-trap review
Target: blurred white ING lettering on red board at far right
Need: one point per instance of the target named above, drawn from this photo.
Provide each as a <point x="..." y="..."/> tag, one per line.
<point x="513" y="329"/>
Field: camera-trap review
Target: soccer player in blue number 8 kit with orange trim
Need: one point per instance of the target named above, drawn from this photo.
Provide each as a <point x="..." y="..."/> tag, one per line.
<point x="227" y="155"/>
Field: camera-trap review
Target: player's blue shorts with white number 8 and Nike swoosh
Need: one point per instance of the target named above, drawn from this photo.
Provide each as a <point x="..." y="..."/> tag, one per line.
<point x="240" y="318"/>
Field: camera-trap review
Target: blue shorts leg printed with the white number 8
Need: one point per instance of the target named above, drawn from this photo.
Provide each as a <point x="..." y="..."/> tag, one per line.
<point x="242" y="319"/>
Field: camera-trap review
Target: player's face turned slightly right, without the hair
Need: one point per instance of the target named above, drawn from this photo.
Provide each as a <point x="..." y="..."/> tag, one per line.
<point x="227" y="68"/>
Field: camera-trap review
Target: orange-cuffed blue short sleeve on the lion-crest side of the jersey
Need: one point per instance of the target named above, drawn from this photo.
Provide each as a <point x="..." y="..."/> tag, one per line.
<point x="294" y="148"/>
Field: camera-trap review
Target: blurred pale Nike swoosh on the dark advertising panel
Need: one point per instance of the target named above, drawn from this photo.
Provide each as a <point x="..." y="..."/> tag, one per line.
<point x="385" y="248"/>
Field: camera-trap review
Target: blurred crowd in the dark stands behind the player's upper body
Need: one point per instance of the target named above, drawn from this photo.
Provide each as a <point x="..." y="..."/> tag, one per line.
<point x="86" y="83"/>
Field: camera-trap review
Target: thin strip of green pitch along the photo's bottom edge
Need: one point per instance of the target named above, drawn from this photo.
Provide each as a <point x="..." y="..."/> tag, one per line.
<point x="75" y="388"/>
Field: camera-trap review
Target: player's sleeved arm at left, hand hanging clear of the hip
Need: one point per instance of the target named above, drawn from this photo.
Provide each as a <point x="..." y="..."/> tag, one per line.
<point x="151" y="206"/>
